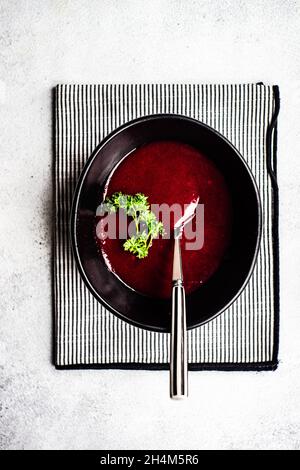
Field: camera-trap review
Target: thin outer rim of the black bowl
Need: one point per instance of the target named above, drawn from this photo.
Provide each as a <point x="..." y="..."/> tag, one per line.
<point x="76" y="198"/>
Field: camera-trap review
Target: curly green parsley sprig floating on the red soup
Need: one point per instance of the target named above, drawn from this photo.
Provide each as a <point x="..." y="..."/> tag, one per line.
<point x="147" y="227"/>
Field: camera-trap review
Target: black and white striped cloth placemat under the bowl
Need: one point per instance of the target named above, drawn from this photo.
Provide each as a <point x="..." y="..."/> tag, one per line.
<point x="245" y="336"/>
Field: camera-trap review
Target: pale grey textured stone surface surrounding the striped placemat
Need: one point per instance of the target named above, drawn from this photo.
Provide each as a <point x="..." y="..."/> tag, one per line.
<point x="46" y="42"/>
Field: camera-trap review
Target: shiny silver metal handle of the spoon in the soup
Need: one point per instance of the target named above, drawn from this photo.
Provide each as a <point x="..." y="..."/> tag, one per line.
<point x="179" y="364"/>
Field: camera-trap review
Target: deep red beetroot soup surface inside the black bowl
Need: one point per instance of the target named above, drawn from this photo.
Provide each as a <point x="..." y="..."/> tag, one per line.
<point x="171" y="173"/>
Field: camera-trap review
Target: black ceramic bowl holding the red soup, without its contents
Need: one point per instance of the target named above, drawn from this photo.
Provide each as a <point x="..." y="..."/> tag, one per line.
<point x="227" y="283"/>
